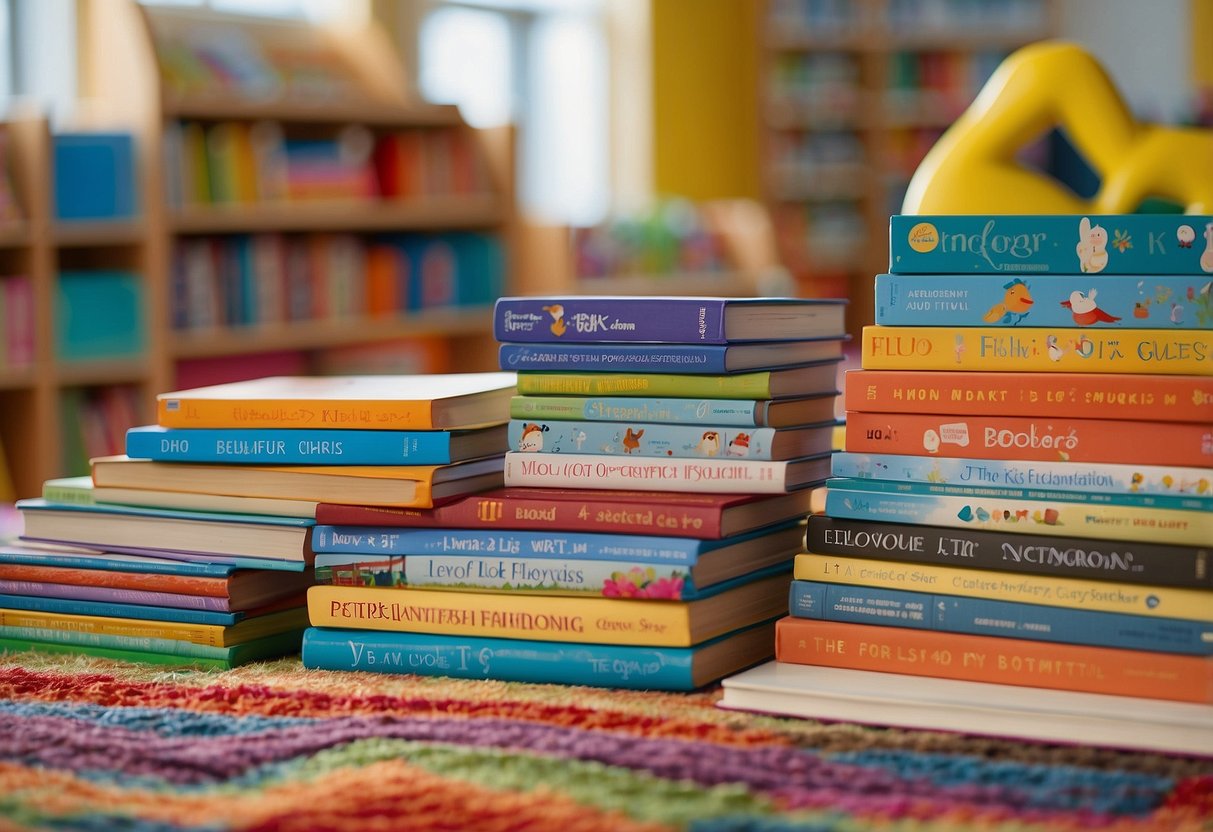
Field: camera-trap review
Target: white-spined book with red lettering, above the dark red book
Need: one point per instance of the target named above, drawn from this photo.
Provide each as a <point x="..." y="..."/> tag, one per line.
<point x="715" y="476"/>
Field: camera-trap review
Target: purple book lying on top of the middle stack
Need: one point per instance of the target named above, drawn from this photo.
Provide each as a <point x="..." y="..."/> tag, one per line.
<point x="665" y="320"/>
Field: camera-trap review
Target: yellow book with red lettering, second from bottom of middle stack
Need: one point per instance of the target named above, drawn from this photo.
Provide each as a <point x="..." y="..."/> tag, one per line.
<point x="550" y="618"/>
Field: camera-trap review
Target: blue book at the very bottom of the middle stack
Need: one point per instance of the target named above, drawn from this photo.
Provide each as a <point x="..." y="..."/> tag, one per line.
<point x="539" y="663"/>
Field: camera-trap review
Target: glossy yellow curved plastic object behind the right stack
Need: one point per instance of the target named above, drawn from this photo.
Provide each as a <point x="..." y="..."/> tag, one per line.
<point x="1055" y="84"/>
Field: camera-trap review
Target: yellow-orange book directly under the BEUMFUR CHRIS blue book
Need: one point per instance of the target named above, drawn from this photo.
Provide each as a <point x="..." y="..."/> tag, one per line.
<point x="415" y="487"/>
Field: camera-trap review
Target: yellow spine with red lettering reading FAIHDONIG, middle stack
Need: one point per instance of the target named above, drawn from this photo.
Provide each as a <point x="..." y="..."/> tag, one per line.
<point x="502" y="616"/>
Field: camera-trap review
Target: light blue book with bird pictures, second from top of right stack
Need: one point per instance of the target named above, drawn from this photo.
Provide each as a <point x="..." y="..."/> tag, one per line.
<point x="1045" y="300"/>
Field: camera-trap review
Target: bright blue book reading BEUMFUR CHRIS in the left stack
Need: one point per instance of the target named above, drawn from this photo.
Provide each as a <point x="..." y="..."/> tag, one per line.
<point x="312" y="447"/>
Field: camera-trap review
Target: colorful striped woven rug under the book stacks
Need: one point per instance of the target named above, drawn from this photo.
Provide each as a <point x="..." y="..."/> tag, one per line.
<point x="101" y="745"/>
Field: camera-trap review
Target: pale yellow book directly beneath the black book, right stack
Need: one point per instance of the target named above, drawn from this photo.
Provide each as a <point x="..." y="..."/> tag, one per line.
<point x="1047" y="590"/>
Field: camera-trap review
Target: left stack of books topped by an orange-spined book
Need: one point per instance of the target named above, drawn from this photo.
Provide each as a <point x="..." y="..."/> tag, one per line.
<point x="196" y="546"/>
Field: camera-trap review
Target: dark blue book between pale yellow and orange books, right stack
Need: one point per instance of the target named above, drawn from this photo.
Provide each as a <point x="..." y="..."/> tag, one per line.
<point x="978" y="617"/>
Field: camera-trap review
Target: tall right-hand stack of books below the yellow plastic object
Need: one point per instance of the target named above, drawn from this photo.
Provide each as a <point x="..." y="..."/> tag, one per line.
<point x="1027" y="489"/>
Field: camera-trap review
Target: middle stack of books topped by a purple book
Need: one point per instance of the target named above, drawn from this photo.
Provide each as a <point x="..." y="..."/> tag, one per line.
<point x="663" y="455"/>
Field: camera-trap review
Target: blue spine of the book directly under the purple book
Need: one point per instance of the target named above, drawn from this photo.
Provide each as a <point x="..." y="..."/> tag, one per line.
<point x="614" y="358"/>
